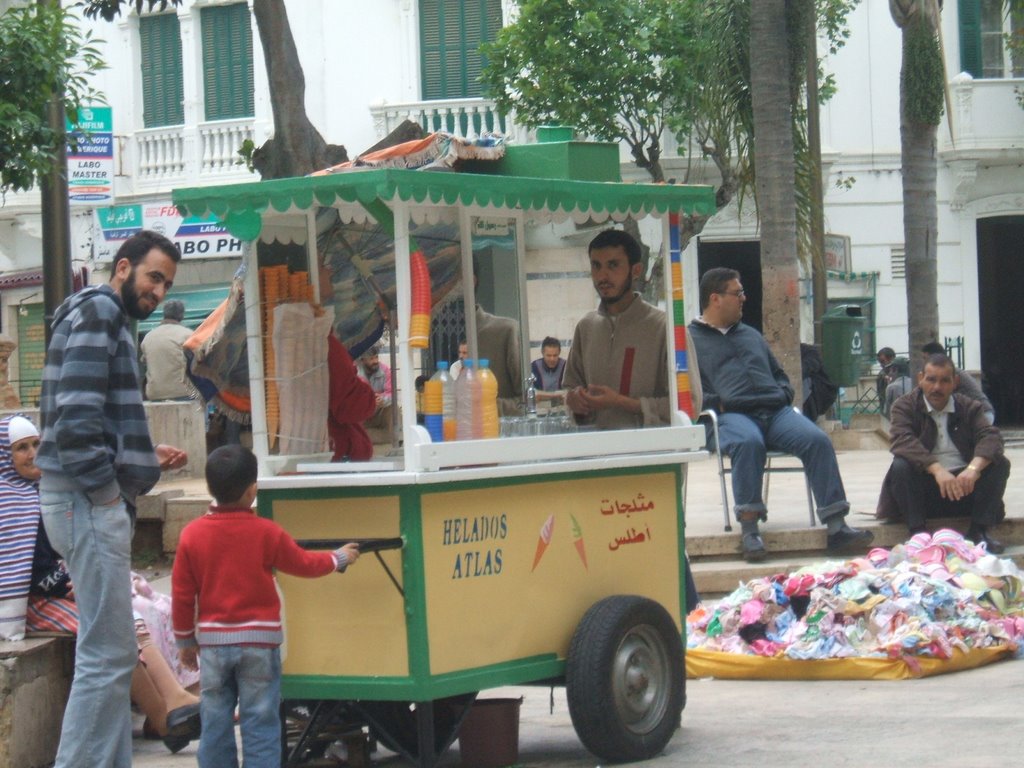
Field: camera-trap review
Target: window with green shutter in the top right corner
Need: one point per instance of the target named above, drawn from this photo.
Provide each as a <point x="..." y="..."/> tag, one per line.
<point x="985" y="27"/>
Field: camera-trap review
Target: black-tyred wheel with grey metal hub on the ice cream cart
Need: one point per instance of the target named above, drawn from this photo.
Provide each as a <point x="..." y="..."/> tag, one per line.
<point x="625" y="678"/>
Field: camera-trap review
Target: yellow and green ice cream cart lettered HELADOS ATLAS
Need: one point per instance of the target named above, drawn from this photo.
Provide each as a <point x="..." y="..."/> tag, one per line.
<point x="553" y="558"/>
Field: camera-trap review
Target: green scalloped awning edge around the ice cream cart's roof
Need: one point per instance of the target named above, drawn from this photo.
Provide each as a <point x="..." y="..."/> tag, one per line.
<point x="242" y="207"/>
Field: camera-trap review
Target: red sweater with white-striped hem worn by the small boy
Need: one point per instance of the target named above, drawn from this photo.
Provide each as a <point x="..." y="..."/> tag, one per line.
<point x="223" y="589"/>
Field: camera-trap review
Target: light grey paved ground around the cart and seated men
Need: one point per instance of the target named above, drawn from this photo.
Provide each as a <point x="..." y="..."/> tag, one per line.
<point x="965" y="720"/>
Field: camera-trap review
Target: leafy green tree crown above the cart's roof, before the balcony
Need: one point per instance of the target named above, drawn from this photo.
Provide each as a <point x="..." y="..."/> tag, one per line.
<point x="613" y="69"/>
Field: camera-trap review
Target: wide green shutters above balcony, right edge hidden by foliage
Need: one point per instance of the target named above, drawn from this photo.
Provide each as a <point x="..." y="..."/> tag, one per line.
<point x="451" y="34"/>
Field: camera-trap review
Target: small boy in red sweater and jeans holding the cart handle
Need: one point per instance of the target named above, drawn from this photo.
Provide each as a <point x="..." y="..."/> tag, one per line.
<point x="226" y="606"/>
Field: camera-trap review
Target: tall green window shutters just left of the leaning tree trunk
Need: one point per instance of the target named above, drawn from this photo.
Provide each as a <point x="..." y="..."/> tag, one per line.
<point x="228" y="62"/>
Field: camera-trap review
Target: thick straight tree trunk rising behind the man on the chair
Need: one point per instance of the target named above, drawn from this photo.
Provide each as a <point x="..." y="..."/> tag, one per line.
<point x="776" y="172"/>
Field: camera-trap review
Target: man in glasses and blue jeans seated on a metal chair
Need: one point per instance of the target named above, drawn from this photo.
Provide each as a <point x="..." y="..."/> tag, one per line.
<point x="744" y="382"/>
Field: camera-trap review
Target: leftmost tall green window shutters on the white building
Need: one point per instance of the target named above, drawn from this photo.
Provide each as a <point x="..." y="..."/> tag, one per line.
<point x="163" y="90"/>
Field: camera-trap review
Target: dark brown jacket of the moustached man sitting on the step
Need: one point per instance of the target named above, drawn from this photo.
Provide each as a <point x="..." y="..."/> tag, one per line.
<point x="914" y="435"/>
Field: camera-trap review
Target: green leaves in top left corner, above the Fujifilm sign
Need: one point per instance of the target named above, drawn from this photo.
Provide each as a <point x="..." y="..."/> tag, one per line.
<point x="44" y="54"/>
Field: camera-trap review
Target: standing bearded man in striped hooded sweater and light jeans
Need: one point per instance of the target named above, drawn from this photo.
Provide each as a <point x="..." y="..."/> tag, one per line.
<point x="97" y="457"/>
